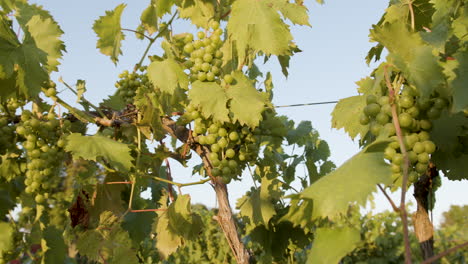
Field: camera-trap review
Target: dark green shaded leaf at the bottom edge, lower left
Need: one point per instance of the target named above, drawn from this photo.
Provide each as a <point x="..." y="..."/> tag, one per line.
<point x="53" y="245"/>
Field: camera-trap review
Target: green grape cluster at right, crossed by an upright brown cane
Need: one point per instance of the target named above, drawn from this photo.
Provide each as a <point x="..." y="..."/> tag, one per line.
<point x="415" y="116"/>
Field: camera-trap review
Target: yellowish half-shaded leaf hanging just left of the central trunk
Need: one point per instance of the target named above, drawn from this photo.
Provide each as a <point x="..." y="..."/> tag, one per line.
<point x="175" y="224"/>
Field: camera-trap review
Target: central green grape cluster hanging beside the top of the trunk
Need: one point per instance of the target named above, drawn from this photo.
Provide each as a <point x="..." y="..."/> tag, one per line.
<point x="231" y="145"/>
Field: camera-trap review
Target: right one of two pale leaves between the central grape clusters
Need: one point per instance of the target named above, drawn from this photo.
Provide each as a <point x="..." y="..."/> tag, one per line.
<point x="247" y="104"/>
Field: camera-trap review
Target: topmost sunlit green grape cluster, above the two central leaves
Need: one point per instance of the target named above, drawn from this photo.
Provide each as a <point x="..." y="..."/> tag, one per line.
<point x="204" y="57"/>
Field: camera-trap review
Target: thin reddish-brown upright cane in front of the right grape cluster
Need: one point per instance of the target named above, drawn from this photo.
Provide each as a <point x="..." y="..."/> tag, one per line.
<point x="396" y="123"/>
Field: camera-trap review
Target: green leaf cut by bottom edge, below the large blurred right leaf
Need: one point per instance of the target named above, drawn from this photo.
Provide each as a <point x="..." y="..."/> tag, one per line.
<point x="332" y="244"/>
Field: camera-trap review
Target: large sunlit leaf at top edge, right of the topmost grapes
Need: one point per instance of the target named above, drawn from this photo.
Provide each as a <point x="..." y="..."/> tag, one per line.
<point x="257" y="25"/>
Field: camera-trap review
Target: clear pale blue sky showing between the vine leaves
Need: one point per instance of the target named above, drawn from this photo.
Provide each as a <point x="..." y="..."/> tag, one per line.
<point x="331" y="62"/>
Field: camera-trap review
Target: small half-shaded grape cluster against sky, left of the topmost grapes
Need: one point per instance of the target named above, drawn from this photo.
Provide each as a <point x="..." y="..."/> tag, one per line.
<point x="129" y="83"/>
